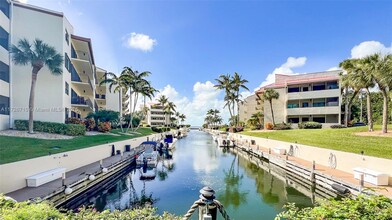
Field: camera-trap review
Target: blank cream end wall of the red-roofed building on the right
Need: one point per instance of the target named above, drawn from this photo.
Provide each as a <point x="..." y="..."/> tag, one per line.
<point x="279" y="107"/>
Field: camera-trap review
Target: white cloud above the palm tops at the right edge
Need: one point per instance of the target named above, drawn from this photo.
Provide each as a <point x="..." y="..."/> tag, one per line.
<point x="368" y="48"/>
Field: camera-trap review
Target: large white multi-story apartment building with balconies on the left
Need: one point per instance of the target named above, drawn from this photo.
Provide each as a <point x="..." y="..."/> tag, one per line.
<point x="74" y="93"/>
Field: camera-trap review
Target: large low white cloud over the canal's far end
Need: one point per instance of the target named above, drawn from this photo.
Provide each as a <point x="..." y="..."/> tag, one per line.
<point x="205" y="97"/>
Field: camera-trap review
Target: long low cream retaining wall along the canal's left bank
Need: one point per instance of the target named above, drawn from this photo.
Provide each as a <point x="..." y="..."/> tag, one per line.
<point x="13" y="175"/>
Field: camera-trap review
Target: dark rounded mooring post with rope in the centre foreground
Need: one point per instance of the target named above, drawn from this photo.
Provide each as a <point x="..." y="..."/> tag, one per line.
<point x="208" y="211"/>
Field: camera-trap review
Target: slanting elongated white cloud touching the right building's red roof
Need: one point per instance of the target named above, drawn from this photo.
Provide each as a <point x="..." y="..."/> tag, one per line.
<point x="285" y="68"/>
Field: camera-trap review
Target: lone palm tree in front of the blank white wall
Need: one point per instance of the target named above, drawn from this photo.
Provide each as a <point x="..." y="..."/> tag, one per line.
<point x="38" y="54"/>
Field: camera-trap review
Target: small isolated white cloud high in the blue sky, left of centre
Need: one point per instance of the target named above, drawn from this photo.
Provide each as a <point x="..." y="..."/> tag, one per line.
<point x="140" y="42"/>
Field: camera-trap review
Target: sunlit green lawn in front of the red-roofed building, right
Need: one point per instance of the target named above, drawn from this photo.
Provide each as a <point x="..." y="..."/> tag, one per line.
<point x="337" y="139"/>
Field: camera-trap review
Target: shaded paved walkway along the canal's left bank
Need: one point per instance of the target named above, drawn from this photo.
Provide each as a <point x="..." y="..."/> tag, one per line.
<point x="71" y="177"/>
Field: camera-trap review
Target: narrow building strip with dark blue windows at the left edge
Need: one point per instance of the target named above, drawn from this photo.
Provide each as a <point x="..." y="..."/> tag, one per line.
<point x="4" y="64"/>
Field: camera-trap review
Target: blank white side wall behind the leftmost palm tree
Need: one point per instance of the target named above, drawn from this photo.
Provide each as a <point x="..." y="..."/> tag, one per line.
<point x="49" y="93"/>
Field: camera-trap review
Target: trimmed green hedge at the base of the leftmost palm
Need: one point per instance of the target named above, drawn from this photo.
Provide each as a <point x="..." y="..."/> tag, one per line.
<point x="52" y="127"/>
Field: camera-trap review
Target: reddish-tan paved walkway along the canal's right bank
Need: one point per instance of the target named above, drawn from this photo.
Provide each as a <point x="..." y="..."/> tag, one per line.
<point x="337" y="174"/>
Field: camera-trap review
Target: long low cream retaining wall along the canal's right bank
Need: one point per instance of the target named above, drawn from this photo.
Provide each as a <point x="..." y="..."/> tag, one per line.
<point x="345" y="161"/>
